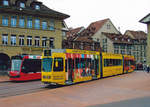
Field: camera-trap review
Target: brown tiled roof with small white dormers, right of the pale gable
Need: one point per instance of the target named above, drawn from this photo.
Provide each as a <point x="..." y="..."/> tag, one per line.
<point x="118" y="38"/>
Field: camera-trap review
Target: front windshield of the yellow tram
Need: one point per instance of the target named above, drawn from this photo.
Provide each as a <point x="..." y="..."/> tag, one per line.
<point x="47" y="64"/>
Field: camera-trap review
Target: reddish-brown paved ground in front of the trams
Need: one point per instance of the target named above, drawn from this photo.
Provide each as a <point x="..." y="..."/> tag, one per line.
<point x="113" y="89"/>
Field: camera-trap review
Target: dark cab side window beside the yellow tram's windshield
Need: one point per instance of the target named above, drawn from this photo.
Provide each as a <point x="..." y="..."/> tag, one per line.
<point x="58" y="64"/>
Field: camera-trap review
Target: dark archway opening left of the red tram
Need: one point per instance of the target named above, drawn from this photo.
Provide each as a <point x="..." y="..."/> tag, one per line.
<point x="4" y="61"/>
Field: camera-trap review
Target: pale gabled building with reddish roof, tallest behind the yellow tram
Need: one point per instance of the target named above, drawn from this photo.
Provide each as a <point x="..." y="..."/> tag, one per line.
<point x="98" y="28"/>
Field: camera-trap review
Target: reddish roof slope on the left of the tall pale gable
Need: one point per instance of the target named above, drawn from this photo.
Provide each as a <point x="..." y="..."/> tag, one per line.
<point x="95" y="26"/>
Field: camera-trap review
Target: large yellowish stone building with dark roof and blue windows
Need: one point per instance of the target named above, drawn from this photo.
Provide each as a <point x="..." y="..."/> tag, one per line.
<point x="28" y="27"/>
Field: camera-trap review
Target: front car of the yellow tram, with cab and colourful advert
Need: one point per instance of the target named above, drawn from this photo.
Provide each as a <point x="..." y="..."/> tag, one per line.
<point x="75" y="68"/>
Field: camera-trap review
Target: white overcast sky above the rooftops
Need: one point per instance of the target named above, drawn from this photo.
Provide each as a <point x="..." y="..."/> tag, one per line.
<point x="123" y="13"/>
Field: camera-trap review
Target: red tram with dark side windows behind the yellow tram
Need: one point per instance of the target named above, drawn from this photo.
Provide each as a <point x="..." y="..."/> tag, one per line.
<point x="25" y="67"/>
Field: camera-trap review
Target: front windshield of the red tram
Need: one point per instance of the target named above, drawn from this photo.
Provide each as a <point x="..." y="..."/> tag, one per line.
<point x="16" y="65"/>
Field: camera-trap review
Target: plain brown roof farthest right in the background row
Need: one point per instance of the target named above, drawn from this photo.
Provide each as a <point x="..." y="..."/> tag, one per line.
<point x="138" y="34"/>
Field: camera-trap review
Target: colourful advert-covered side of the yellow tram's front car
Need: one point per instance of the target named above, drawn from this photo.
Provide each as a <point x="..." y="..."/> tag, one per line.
<point x="82" y="67"/>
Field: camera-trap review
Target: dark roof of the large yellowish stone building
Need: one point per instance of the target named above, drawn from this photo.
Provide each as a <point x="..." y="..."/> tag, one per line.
<point x="44" y="11"/>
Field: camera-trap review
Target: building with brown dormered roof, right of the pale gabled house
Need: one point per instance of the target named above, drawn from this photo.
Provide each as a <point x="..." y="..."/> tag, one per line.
<point x="118" y="43"/>
